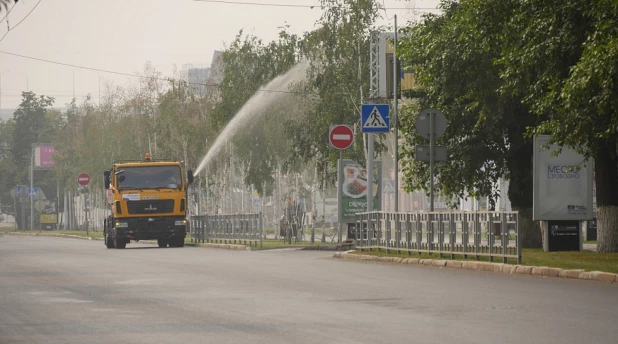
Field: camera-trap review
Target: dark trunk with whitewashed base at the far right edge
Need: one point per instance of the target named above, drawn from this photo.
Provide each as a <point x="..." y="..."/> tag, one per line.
<point x="606" y="175"/>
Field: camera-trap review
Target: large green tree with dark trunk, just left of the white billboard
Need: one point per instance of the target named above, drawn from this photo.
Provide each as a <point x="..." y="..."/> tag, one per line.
<point x="452" y="56"/>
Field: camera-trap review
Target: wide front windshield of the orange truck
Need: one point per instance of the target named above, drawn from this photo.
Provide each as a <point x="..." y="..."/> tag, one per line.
<point x="149" y="177"/>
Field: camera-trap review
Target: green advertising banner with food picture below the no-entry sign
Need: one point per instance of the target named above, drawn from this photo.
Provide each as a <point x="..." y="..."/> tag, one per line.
<point x="354" y="193"/>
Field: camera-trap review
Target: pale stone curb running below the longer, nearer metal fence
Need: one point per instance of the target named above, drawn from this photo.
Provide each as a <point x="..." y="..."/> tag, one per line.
<point x="541" y="271"/>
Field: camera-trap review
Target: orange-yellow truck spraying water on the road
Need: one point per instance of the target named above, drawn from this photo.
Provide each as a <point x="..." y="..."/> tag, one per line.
<point x="148" y="200"/>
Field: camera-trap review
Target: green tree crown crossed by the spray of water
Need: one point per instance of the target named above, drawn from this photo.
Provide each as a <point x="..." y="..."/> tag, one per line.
<point x="250" y="65"/>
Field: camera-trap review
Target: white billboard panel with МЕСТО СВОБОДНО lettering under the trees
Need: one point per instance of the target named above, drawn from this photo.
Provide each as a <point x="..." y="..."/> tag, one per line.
<point x="562" y="184"/>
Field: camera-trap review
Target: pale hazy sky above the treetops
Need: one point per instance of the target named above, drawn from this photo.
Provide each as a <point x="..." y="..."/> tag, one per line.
<point x="122" y="35"/>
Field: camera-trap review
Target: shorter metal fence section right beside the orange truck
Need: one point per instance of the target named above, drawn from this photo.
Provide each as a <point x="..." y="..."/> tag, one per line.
<point x="244" y="229"/>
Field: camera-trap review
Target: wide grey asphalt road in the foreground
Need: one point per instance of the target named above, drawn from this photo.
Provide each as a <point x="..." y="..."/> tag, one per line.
<point x="55" y="290"/>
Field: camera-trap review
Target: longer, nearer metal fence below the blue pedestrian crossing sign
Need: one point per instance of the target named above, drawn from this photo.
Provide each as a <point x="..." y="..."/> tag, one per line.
<point x="467" y="234"/>
